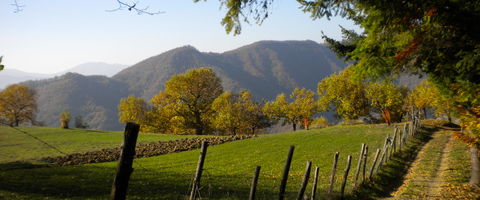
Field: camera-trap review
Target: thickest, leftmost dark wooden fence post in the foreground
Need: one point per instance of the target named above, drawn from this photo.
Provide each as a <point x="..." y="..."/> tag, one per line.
<point x="124" y="167"/>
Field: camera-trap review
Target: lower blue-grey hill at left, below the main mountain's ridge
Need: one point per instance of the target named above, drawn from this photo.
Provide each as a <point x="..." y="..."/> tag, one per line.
<point x="95" y="98"/>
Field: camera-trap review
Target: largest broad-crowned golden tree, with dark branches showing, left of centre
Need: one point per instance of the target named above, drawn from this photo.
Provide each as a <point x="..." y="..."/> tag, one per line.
<point x="190" y="96"/>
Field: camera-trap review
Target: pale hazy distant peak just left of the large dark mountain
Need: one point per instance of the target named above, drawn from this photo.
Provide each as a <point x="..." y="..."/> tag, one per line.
<point x="95" y="68"/>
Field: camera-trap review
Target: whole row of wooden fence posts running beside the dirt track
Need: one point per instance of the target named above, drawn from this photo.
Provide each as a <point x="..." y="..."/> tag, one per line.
<point x="393" y="143"/>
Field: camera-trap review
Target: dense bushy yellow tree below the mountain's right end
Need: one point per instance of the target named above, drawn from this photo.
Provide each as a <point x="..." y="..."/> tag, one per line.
<point x="344" y="94"/>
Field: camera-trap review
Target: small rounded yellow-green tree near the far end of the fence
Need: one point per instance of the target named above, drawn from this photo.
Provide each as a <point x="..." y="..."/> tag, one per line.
<point x="386" y="98"/>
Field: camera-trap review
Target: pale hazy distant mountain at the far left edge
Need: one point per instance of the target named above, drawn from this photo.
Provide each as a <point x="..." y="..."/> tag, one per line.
<point x="12" y="76"/>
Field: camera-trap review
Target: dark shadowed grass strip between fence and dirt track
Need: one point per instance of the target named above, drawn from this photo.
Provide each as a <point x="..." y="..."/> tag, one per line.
<point x="392" y="174"/>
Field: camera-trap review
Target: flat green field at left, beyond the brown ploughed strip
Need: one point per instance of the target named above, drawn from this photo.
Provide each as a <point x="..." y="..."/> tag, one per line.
<point x="15" y="145"/>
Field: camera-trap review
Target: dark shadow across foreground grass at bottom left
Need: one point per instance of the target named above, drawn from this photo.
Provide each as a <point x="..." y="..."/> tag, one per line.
<point x="31" y="181"/>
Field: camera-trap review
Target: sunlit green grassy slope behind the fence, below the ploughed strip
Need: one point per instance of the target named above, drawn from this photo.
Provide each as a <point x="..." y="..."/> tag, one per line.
<point x="229" y="168"/>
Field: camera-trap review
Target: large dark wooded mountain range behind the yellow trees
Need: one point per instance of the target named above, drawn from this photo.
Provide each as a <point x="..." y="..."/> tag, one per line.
<point x="265" y="68"/>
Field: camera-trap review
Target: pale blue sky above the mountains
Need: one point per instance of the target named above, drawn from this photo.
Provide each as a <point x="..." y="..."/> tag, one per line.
<point x="50" y="36"/>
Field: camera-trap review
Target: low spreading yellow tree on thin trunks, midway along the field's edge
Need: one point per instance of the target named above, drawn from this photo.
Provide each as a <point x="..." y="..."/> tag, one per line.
<point x="302" y="108"/>
